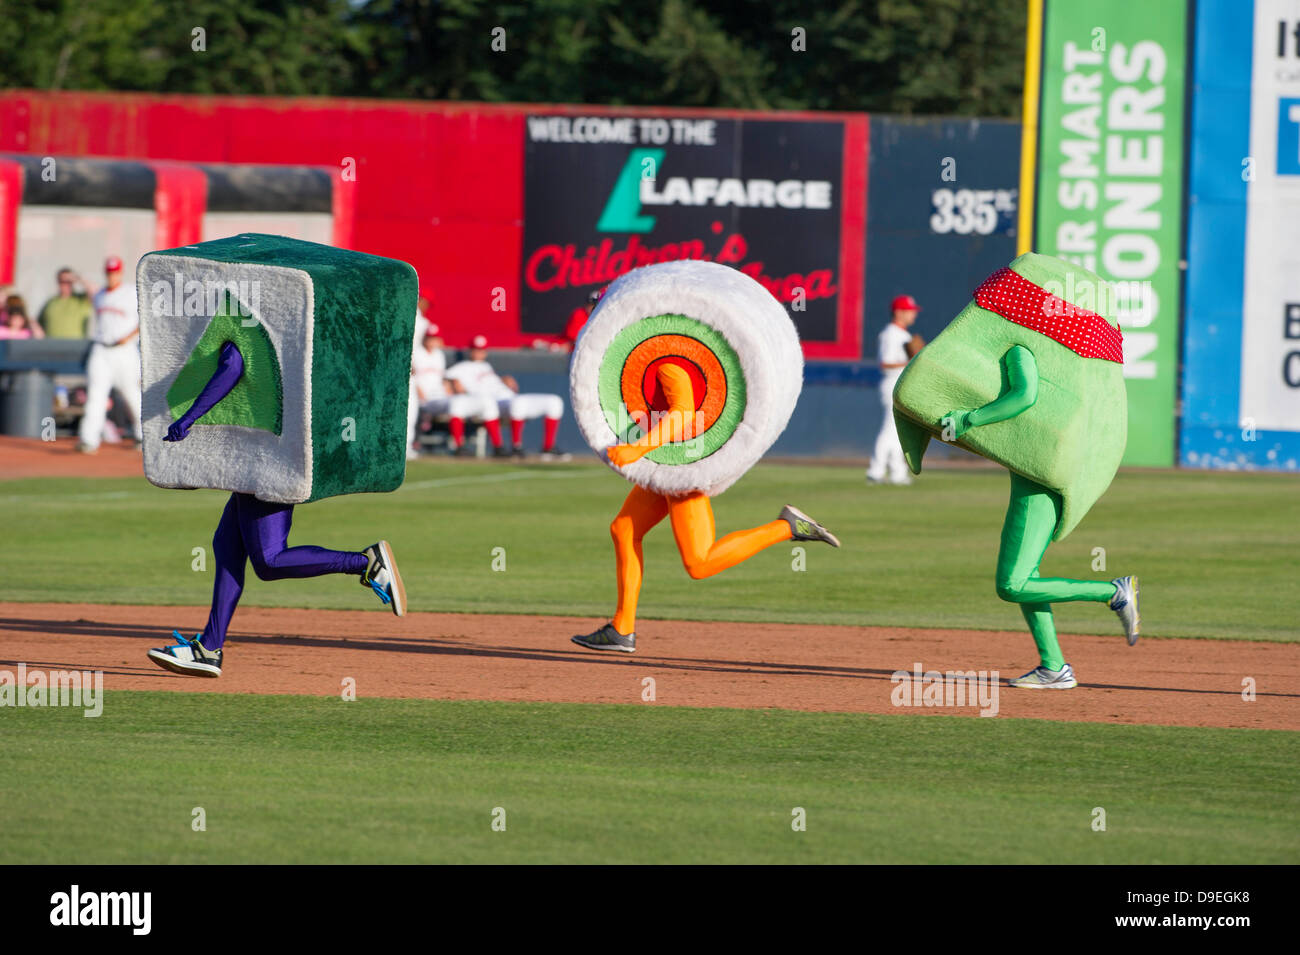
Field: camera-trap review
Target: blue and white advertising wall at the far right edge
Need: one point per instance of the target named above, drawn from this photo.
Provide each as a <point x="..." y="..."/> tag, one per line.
<point x="1241" y="389"/>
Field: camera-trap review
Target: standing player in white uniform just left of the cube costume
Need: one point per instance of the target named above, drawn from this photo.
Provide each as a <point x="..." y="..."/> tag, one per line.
<point x="115" y="359"/>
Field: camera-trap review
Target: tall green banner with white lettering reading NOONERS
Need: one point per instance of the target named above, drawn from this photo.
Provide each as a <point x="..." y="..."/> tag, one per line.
<point x="1111" y="183"/>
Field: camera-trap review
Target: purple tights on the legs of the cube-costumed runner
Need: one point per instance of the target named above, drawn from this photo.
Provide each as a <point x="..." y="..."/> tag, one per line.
<point x="258" y="531"/>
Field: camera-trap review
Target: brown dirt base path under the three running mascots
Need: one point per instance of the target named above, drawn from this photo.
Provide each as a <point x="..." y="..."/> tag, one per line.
<point x="530" y="658"/>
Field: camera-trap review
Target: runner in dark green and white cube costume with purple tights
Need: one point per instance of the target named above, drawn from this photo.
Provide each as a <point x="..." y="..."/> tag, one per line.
<point x="279" y="371"/>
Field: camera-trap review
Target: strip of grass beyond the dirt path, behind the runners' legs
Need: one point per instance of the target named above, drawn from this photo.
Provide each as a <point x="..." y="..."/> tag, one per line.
<point x="1216" y="552"/>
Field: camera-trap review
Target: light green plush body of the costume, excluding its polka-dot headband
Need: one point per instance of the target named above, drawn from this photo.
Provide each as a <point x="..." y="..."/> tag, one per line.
<point x="1073" y="437"/>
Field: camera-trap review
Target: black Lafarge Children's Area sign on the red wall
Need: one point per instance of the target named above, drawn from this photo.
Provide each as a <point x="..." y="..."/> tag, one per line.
<point x="608" y="194"/>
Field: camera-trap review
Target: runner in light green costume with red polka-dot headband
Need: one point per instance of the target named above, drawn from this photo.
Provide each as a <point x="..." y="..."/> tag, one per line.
<point x="1030" y="375"/>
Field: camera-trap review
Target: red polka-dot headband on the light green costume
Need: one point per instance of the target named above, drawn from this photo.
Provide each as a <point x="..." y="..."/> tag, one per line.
<point x="1020" y="301"/>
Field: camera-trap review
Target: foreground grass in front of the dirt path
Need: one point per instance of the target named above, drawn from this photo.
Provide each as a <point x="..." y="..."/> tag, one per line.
<point x="307" y="780"/>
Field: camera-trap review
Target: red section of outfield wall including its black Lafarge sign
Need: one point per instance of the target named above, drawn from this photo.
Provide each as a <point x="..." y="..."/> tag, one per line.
<point x="443" y="186"/>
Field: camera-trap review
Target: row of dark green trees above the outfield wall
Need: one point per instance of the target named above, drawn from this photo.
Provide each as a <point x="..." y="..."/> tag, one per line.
<point x="899" y="57"/>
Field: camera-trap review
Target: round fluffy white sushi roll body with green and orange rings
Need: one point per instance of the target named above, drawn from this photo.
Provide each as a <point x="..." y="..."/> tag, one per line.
<point x="739" y="345"/>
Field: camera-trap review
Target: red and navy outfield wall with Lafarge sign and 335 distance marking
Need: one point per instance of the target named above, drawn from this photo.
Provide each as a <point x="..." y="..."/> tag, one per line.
<point x="513" y="215"/>
